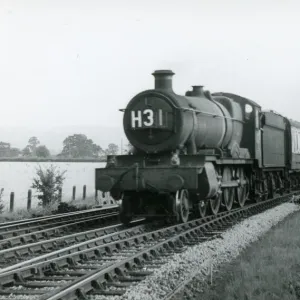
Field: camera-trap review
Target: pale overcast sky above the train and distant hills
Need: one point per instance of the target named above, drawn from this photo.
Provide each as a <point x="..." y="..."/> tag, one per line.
<point x="65" y="63"/>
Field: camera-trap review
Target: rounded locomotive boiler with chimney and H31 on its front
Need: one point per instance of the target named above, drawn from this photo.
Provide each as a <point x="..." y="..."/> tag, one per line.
<point x="159" y="120"/>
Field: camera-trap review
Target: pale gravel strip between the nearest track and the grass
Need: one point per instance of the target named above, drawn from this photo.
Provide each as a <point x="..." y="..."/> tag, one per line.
<point x="199" y="259"/>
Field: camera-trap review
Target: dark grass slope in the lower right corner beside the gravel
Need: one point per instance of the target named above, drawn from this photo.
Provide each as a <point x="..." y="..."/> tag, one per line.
<point x="269" y="269"/>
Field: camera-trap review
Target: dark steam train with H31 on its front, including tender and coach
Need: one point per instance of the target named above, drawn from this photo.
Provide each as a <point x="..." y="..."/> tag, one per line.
<point x="196" y="154"/>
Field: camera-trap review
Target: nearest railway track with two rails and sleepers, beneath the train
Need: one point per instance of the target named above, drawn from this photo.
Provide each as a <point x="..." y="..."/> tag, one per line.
<point x="112" y="267"/>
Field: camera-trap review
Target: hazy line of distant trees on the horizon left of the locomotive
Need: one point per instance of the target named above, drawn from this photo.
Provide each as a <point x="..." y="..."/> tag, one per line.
<point x="74" y="146"/>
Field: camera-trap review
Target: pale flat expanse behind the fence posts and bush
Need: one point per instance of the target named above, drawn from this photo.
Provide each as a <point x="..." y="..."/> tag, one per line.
<point x="17" y="177"/>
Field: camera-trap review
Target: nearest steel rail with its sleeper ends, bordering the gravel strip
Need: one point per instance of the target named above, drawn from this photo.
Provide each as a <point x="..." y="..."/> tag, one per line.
<point x="132" y="269"/>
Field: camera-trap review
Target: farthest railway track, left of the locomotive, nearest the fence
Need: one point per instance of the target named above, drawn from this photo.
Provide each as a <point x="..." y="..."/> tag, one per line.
<point x="12" y="229"/>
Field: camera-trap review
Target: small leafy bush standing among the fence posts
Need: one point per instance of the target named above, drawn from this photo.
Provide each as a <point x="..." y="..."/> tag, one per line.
<point x="48" y="183"/>
